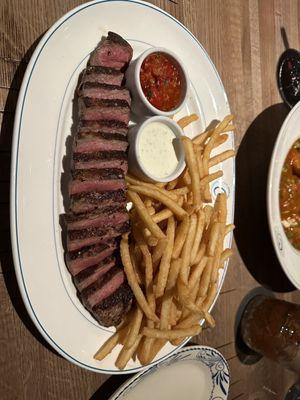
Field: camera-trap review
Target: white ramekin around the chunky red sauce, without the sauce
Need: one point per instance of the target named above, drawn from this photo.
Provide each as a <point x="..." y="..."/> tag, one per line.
<point x="140" y="104"/>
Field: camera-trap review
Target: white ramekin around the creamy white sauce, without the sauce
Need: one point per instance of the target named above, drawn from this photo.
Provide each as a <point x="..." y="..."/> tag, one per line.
<point x="134" y="160"/>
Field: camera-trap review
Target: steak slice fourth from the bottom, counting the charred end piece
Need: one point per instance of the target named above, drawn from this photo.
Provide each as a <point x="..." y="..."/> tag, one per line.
<point x="78" y="260"/>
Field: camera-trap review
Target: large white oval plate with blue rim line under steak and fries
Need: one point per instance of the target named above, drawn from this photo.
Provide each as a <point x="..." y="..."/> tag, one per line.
<point x="42" y="125"/>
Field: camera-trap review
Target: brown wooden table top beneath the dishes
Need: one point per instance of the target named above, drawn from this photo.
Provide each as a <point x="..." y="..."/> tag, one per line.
<point x="244" y="41"/>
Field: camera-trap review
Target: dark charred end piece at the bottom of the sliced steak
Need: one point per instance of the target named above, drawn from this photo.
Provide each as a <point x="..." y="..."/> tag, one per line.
<point x="112" y="309"/>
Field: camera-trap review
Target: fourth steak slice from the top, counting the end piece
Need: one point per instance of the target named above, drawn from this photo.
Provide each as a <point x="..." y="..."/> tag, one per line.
<point x="94" y="109"/>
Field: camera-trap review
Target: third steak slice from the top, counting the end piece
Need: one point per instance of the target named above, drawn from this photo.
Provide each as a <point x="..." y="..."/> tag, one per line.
<point x="102" y="91"/>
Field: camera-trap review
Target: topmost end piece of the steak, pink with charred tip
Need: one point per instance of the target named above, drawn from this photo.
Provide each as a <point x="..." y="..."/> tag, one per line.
<point x="114" y="52"/>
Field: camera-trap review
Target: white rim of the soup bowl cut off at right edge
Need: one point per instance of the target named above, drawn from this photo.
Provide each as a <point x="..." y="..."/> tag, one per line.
<point x="288" y="256"/>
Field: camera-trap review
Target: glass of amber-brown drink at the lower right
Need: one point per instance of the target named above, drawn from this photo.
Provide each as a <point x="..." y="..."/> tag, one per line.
<point x="271" y="327"/>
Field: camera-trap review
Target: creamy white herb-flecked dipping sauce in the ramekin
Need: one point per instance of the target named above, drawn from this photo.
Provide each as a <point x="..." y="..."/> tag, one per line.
<point x="158" y="149"/>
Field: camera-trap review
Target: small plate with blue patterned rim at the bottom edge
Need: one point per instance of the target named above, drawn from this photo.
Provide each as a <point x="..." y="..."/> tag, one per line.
<point x="193" y="372"/>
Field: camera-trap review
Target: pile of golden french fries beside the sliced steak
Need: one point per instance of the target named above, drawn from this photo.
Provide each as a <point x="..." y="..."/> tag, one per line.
<point x="173" y="256"/>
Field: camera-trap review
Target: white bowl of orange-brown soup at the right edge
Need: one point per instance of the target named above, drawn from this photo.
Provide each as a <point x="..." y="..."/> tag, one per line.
<point x="283" y="196"/>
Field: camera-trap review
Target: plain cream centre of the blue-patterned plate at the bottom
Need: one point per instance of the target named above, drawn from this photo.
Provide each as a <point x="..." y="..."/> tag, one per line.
<point x="181" y="380"/>
